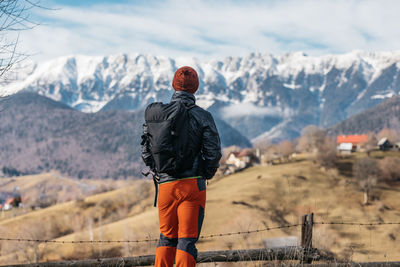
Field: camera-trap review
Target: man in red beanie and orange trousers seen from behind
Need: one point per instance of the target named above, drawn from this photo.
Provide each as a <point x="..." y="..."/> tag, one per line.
<point x="182" y="147"/>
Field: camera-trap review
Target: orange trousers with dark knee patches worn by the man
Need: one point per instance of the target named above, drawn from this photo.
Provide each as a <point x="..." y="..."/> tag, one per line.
<point x="181" y="206"/>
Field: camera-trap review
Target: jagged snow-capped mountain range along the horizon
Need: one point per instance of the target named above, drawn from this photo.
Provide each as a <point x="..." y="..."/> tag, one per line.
<point x="261" y="95"/>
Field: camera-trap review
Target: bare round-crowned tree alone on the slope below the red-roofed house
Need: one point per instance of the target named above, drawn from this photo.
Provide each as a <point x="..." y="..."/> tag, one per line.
<point x="366" y="171"/>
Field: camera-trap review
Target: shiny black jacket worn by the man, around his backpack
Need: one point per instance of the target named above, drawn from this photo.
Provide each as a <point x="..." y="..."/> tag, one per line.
<point x="203" y="138"/>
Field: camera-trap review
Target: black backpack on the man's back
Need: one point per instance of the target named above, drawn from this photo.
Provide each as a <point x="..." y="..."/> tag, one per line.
<point x="167" y="133"/>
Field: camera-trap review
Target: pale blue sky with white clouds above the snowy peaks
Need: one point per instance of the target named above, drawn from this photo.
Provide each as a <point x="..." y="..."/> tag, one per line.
<point x="211" y="29"/>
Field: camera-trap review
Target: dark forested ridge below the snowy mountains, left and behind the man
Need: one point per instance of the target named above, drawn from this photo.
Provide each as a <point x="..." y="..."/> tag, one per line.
<point x="38" y="134"/>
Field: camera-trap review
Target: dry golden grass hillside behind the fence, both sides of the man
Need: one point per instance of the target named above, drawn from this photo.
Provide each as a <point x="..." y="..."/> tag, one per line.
<point x="259" y="197"/>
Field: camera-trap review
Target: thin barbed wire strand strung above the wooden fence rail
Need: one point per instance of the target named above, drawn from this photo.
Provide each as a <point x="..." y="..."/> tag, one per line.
<point x="202" y="236"/>
